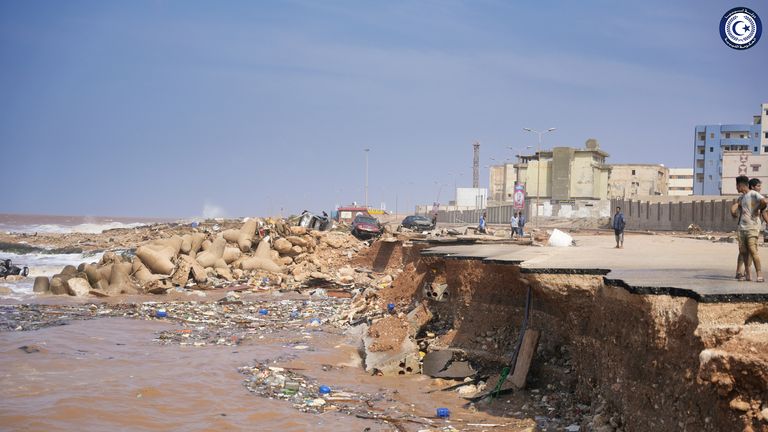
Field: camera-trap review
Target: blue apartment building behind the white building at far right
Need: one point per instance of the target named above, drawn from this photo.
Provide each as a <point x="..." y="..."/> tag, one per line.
<point x="711" y="141"/>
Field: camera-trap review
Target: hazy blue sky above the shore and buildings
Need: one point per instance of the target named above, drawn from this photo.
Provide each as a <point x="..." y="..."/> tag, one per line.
<point x="242" y="108"/>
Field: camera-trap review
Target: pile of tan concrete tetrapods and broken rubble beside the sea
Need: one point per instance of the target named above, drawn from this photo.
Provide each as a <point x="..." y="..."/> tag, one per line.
<point x="291" y="256"/>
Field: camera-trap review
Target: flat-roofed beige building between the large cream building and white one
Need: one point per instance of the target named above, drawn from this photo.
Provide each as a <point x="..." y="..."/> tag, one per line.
<point x="636" y="180"/>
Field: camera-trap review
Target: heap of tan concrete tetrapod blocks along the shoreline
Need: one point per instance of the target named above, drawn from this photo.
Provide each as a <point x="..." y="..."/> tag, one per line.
<point x="196" y="257"/>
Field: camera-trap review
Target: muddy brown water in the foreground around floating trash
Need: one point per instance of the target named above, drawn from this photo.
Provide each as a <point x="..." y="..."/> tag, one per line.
<point x="109" y="374"/>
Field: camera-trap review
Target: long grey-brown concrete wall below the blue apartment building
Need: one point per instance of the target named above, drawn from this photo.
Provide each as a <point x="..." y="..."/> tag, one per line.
<point x="710" y="215"/>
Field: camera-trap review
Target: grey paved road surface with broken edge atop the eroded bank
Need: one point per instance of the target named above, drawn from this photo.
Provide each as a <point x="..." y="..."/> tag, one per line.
<point x="648" y="264"/>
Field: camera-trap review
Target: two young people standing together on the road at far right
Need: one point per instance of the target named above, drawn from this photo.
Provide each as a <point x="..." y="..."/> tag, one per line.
<point x="749" y="208"/>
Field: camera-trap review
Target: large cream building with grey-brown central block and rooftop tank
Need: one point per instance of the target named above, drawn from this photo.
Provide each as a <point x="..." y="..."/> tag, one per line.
<point x="561" y="174"/>
